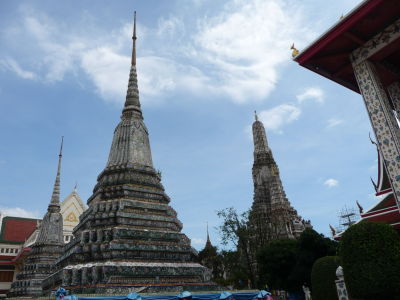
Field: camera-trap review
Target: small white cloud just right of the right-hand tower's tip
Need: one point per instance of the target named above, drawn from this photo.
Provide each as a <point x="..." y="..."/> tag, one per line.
<point x="275" y="118"/>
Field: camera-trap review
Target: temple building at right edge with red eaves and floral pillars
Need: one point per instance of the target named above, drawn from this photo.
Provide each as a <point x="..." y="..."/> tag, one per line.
<point x="362" y="52"/>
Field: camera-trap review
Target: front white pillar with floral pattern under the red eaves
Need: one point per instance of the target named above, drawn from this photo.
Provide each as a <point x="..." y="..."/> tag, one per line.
<point x="382" y="119"/>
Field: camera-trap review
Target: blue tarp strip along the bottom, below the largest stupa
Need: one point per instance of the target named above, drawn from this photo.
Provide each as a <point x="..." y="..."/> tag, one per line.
<point x="213" y="296"/>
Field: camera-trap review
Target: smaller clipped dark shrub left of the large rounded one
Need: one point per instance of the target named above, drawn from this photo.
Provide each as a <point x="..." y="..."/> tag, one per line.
<point x="323" y="276"/>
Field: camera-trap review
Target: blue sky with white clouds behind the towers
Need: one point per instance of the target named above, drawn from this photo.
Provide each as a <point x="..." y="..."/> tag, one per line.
<point x="203" y="67"/>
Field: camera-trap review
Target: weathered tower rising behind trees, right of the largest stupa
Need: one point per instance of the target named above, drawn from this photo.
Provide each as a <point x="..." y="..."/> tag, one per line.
<point x="271" y="216"/>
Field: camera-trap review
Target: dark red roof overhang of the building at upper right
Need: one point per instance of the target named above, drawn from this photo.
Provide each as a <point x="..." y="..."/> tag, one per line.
<point x="329" y="55"/>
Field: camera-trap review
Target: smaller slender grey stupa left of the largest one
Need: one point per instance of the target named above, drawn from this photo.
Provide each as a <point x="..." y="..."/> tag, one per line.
<point x="39" y="264"/>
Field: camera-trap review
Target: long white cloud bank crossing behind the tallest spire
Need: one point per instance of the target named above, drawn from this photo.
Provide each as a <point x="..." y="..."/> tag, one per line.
<point x="222" y="56"/>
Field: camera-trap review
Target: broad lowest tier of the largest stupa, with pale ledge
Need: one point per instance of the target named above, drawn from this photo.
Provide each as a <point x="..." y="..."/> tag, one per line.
<point x="119" y="276"/>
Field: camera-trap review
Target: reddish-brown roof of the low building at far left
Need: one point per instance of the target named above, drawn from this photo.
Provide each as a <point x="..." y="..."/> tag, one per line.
<point x="16" y="230"/>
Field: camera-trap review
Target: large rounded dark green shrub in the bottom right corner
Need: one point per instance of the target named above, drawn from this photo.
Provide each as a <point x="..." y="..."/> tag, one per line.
<point x="370" y="255"/>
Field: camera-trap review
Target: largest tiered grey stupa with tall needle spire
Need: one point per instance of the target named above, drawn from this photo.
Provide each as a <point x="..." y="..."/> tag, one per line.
<point x="129" y="236"/>
